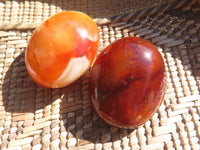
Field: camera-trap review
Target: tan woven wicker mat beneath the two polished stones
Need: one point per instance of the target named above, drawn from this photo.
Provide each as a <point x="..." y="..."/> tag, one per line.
<point x="33" y="117"/>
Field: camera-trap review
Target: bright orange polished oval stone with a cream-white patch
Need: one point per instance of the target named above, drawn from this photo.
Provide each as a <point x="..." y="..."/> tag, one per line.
<point x="61" y="49"/>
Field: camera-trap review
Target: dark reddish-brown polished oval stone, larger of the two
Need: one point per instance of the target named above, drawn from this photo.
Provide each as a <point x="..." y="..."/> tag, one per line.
<point x="128" y="82"/>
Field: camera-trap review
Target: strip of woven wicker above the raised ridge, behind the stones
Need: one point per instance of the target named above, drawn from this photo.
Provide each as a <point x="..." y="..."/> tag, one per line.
<point x="38" y="10"/>
